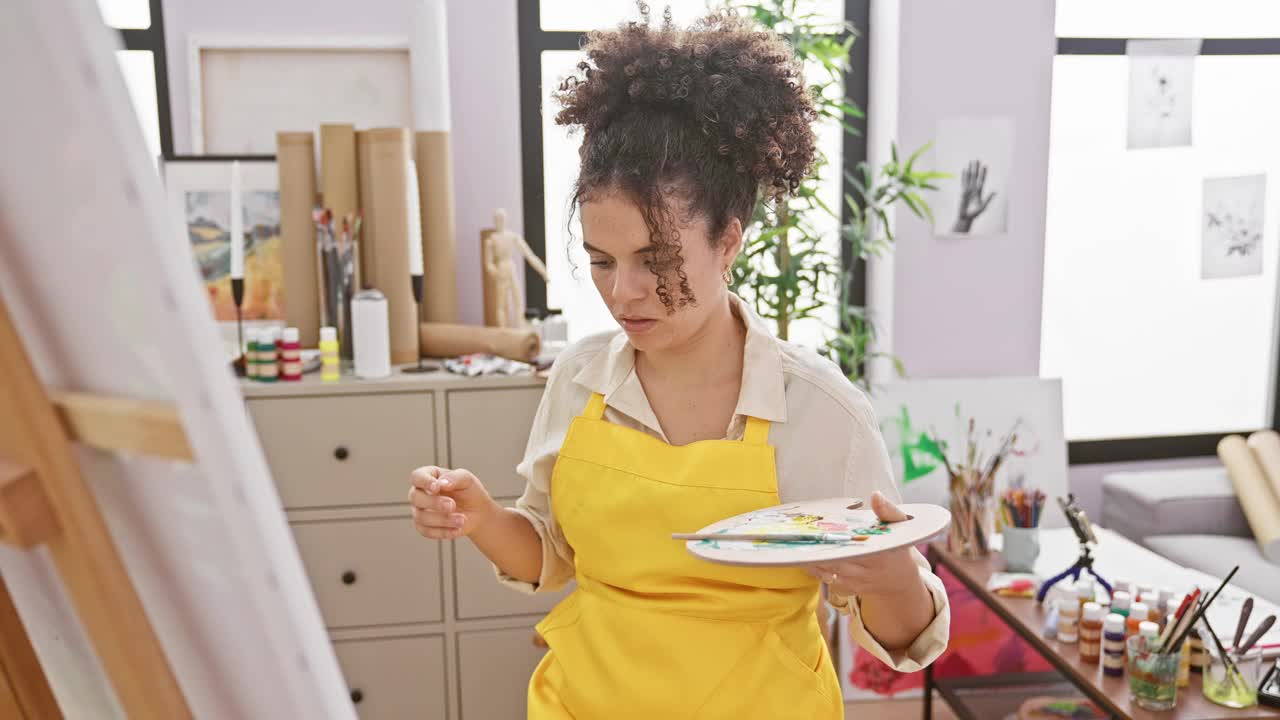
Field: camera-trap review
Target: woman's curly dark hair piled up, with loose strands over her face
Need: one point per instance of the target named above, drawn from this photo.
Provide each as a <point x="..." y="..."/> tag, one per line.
<point x="715" y="115"/>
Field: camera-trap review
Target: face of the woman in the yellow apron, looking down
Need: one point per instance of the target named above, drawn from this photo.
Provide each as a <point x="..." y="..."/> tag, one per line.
<point x="618" y="241"/>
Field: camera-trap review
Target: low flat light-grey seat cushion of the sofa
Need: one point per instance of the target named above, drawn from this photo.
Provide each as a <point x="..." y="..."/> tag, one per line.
<point x="1217" y="555"/>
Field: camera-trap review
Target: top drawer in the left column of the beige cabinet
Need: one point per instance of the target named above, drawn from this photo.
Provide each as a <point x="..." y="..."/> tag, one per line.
<point x="330" y="452"/>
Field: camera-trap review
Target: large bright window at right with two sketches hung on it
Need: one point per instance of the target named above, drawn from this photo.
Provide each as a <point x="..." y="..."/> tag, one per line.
<point x="1159" y="354"/>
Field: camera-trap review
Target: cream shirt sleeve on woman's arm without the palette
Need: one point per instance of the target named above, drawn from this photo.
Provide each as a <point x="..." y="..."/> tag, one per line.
<point x="551" y="425"/>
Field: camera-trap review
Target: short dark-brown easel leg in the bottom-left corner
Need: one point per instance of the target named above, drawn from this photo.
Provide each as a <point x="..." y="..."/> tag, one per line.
<point x="25" y="691"/>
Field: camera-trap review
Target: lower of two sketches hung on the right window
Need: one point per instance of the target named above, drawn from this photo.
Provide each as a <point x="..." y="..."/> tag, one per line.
<point x="1232" y="227"/>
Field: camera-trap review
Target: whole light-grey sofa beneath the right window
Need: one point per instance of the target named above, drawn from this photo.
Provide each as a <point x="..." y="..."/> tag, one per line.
<point x="1194" y="518"/>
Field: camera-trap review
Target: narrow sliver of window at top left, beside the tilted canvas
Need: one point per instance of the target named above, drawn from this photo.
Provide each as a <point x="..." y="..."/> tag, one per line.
<point x="143" y="63"/>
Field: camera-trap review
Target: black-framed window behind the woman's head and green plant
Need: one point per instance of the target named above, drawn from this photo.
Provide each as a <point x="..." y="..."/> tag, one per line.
<point x="550" y="35"/>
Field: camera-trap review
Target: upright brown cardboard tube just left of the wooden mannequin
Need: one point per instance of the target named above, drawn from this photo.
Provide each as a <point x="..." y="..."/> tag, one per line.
<point x="440" y="245"/>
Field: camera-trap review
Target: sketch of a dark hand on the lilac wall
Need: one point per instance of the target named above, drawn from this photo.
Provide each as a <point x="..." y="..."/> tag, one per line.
<point x="977" y="154"/>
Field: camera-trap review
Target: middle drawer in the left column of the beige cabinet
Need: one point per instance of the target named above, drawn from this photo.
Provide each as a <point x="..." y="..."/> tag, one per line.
<point x="372" y="572"/>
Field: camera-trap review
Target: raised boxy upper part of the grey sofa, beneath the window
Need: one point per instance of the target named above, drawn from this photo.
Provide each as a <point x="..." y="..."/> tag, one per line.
<point x="1162" y="503"/>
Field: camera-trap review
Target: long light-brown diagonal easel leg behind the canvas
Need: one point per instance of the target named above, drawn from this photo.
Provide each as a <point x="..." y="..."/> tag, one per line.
<point x="34" y="439"/>
